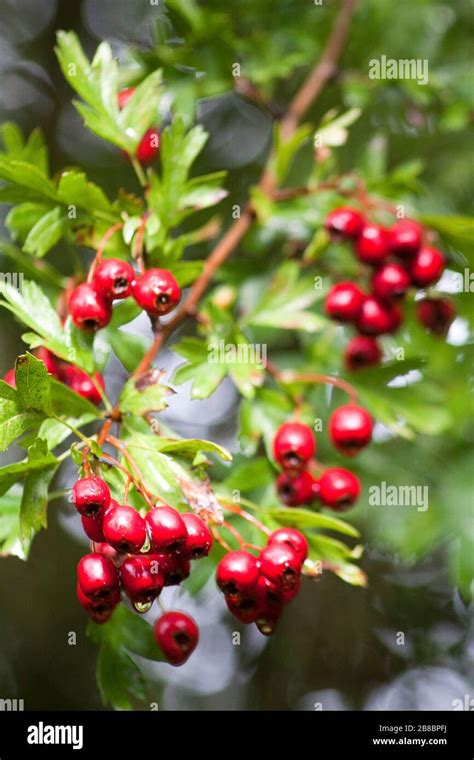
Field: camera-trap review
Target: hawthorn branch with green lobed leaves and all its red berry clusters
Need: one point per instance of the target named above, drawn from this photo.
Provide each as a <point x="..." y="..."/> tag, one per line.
<point x="151" y="502"/>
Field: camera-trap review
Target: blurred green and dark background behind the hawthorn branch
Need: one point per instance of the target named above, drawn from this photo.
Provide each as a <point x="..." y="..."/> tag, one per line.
<point x="337" y="649"/>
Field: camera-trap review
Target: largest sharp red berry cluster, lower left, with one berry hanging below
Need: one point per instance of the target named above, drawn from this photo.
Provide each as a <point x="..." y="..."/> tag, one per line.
<point x="139" y="556"/>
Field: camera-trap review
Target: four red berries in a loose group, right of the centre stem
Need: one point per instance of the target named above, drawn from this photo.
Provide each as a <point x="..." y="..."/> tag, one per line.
<point x="294" y="446"/>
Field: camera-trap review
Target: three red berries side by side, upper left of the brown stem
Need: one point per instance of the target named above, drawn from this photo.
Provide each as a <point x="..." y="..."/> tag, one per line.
<point x="90" y="305"/>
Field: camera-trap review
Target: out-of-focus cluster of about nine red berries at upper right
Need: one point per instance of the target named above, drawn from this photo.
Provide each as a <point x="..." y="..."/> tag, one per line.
<point x="399" y="260"/>
